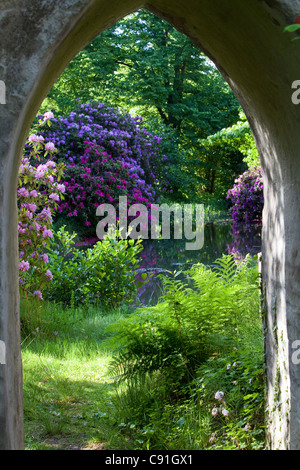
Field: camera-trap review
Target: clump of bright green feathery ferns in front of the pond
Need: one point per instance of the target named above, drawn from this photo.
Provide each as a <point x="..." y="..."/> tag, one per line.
<point x="188" y="324"/>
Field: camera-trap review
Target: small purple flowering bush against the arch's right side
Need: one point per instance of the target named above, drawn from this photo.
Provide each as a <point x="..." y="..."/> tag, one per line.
<point x="247" y="198"/>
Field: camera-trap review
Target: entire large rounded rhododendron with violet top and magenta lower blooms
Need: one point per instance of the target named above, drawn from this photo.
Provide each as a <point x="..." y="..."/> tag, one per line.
<point x="107" y="154"/>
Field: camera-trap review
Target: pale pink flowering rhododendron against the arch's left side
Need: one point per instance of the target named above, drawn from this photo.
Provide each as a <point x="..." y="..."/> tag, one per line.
<point x="38" y="195"/>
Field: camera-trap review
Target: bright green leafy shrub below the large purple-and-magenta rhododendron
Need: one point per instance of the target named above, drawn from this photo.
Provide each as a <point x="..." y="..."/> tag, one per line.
<point x="102" y="274"/>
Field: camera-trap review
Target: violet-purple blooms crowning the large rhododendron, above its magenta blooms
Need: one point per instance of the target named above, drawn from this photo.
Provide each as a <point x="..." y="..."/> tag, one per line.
<point x="120" y="135"/>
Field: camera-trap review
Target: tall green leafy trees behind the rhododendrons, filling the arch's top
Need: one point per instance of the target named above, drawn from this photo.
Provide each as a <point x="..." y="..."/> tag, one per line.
<point x="144" y="65"/>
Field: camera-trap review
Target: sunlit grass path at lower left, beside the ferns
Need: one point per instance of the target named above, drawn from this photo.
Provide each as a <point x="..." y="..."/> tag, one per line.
<point x="67" y="394"/>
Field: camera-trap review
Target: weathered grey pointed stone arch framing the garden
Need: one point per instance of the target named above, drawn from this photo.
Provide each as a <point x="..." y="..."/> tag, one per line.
<point x="259" y="61"/>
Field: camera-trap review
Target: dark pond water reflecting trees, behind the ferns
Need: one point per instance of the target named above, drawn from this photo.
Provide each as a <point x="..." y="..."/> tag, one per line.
<point x="160" y="256"/>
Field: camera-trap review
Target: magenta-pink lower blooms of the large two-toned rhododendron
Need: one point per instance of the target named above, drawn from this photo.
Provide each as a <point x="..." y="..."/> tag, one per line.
<point x="99" y="178"/>
